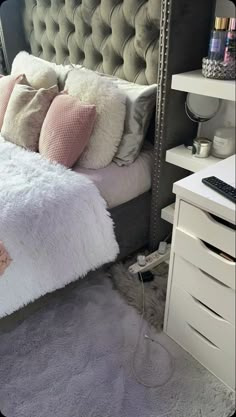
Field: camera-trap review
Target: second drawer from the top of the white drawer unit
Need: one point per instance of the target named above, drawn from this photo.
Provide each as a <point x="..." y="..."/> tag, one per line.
<point x="196" y="252"/>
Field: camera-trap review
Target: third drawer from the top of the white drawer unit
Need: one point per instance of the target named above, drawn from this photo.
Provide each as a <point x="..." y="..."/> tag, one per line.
<point x="206" y="289"/>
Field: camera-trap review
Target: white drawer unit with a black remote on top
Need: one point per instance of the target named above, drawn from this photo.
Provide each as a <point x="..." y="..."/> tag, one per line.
<point x="200" y="307"/>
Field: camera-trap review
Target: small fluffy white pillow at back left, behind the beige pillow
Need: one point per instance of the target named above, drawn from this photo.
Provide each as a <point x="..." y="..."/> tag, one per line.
<point x="38" y="73"/>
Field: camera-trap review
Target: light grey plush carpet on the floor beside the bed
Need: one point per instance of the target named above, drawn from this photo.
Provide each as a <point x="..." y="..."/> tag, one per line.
<point x="72" y="358"/>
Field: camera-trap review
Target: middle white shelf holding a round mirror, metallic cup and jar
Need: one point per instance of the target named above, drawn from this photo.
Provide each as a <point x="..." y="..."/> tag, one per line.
<point x="204" y="150"/>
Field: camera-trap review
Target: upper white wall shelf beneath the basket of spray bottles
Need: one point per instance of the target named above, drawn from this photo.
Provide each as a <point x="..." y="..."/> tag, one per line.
<point x="194" y="82"/>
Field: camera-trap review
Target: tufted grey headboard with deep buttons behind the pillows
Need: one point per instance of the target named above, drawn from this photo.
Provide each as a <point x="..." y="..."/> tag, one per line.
<point x="112" y="36"/>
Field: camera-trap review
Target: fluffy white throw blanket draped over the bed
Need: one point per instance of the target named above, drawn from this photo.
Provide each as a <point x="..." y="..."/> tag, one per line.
<point x="53" y="224"/>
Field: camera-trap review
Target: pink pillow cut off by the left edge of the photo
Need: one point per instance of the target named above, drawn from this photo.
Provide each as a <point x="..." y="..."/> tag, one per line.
<point x="7" y="83"/>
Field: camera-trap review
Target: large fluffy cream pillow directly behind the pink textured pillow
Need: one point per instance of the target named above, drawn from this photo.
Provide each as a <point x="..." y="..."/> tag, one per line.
<point x="111" y="109"/>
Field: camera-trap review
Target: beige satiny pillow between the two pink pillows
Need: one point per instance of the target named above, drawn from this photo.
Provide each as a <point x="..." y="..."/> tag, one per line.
<point x="25" y="114"/>
